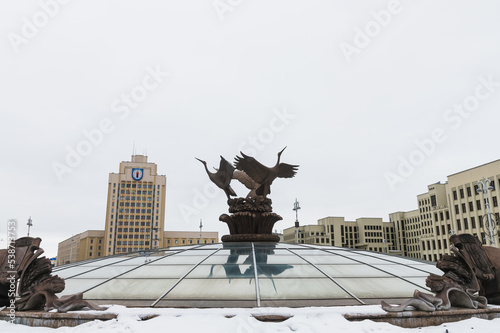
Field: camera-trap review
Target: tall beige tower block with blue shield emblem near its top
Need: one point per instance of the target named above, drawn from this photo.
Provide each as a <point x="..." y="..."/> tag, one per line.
<point x="135" y="212"/>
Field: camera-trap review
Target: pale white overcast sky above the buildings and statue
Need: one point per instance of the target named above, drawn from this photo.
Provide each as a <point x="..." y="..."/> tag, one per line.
<point x="354" y="96"/>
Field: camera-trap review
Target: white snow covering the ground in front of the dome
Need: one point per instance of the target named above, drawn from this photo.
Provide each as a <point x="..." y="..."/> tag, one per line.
<point x="313" y="319"/>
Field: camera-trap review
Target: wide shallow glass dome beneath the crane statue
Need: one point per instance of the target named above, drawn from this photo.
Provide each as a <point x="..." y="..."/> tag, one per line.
<point x="247" y="275"/>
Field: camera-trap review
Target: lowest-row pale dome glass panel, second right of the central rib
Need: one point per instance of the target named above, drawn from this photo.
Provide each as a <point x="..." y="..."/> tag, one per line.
<point x="378" y="287"/>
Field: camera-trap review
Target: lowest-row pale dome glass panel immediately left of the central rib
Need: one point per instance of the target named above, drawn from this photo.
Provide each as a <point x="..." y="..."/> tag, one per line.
<point x="218" y="289"/>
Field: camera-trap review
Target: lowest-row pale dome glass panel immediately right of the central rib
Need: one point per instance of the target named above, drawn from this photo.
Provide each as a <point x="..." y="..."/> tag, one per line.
<point x="319" y="288"/>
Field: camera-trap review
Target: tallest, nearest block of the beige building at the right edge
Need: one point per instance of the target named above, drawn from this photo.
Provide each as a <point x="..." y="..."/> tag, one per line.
<point x="454" y="207"/>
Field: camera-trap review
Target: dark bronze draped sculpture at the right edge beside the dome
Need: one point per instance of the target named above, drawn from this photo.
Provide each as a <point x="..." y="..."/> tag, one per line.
<point x="470" y="279"/>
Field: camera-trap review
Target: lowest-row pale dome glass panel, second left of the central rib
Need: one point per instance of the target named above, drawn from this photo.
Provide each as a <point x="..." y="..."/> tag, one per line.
<point x="131" y="289"/>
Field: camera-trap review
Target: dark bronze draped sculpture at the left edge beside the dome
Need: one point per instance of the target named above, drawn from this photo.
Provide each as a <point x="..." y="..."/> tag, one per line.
<point x="36" y="285"/>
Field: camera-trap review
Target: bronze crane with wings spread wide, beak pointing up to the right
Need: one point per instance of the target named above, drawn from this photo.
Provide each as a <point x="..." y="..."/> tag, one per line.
<point x="264" y="175"/>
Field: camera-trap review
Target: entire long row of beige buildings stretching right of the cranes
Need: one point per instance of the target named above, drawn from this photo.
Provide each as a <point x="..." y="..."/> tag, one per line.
<point x="453" y="207"/>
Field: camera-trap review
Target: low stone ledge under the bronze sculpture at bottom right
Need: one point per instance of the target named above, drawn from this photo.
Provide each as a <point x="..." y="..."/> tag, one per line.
<point x="414" y="319"/>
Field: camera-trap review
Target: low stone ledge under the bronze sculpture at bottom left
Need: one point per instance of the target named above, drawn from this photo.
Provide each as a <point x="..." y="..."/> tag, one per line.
<point x="54" y="319"/>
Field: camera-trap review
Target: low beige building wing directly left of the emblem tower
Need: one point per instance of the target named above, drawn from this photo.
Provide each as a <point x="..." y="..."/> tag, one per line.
<point x="86" y="245"/>
